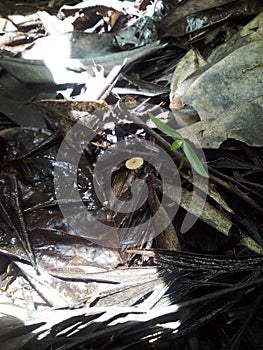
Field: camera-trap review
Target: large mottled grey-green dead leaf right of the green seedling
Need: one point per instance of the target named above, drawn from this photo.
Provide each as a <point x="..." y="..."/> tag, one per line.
<point x="224" y="100"/>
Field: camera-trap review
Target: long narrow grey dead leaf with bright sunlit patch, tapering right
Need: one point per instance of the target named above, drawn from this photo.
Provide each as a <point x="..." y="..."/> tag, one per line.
<point x="68" y="70"/>
